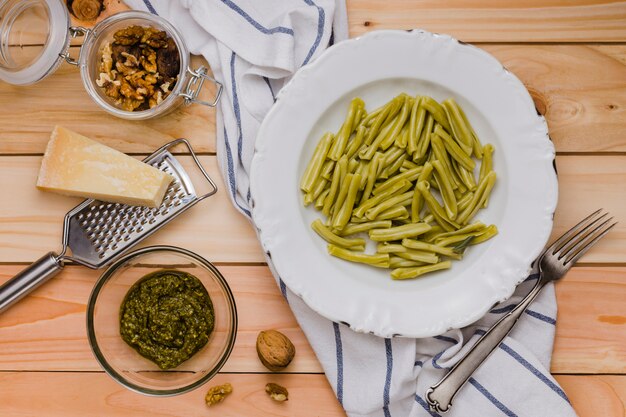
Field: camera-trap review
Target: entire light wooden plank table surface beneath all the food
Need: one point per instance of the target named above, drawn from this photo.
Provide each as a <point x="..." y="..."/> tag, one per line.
<point x="570" y="54"/>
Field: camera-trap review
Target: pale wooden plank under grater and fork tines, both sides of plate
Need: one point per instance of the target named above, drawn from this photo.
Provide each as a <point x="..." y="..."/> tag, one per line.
<point x="30" y="220"/>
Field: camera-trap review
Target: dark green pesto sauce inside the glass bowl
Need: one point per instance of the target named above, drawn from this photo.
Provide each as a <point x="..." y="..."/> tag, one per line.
<point x="167" y="316"/>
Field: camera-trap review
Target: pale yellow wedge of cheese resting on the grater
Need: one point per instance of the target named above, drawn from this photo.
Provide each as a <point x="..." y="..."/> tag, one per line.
<point x="77" y="166"/>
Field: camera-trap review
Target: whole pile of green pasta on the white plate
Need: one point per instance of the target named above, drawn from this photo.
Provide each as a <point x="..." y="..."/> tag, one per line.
<point x="403" y="176"/>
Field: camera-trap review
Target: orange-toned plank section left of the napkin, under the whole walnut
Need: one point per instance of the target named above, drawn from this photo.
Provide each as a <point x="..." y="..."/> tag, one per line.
<point x="46" y="331"/>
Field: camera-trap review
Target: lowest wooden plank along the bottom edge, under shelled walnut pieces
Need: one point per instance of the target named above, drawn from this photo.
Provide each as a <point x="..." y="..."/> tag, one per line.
<point x="309" y="396"/>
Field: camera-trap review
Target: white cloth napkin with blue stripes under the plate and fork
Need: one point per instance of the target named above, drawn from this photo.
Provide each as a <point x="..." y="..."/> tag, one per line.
<point x="253" y="47"/>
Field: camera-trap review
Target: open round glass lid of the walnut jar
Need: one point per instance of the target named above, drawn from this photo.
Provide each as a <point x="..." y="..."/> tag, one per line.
<point x="33" y="36"/>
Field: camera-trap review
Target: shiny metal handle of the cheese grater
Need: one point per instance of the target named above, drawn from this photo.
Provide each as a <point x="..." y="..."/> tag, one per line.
<point x="30" y="278"/>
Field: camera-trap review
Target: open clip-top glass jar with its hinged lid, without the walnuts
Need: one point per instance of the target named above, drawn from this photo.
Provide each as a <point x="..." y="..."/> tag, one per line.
<point x="35" y="37"/>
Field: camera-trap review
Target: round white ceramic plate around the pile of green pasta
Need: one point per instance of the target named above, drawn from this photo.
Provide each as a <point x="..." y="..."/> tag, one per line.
<point x="376" y="67"/>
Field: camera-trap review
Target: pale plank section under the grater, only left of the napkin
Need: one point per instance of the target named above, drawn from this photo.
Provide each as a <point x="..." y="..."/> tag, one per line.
<point x="31" y="220"/>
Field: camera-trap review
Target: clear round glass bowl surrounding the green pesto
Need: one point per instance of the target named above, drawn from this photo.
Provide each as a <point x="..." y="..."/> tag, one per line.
<point x="126" y="365"/>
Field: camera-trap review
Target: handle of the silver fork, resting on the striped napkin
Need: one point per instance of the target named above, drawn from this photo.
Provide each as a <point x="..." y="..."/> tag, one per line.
<point x="440" y="395"/>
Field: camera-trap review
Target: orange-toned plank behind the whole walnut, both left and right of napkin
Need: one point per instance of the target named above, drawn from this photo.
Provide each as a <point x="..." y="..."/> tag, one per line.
<point x="46" y="331"/>
